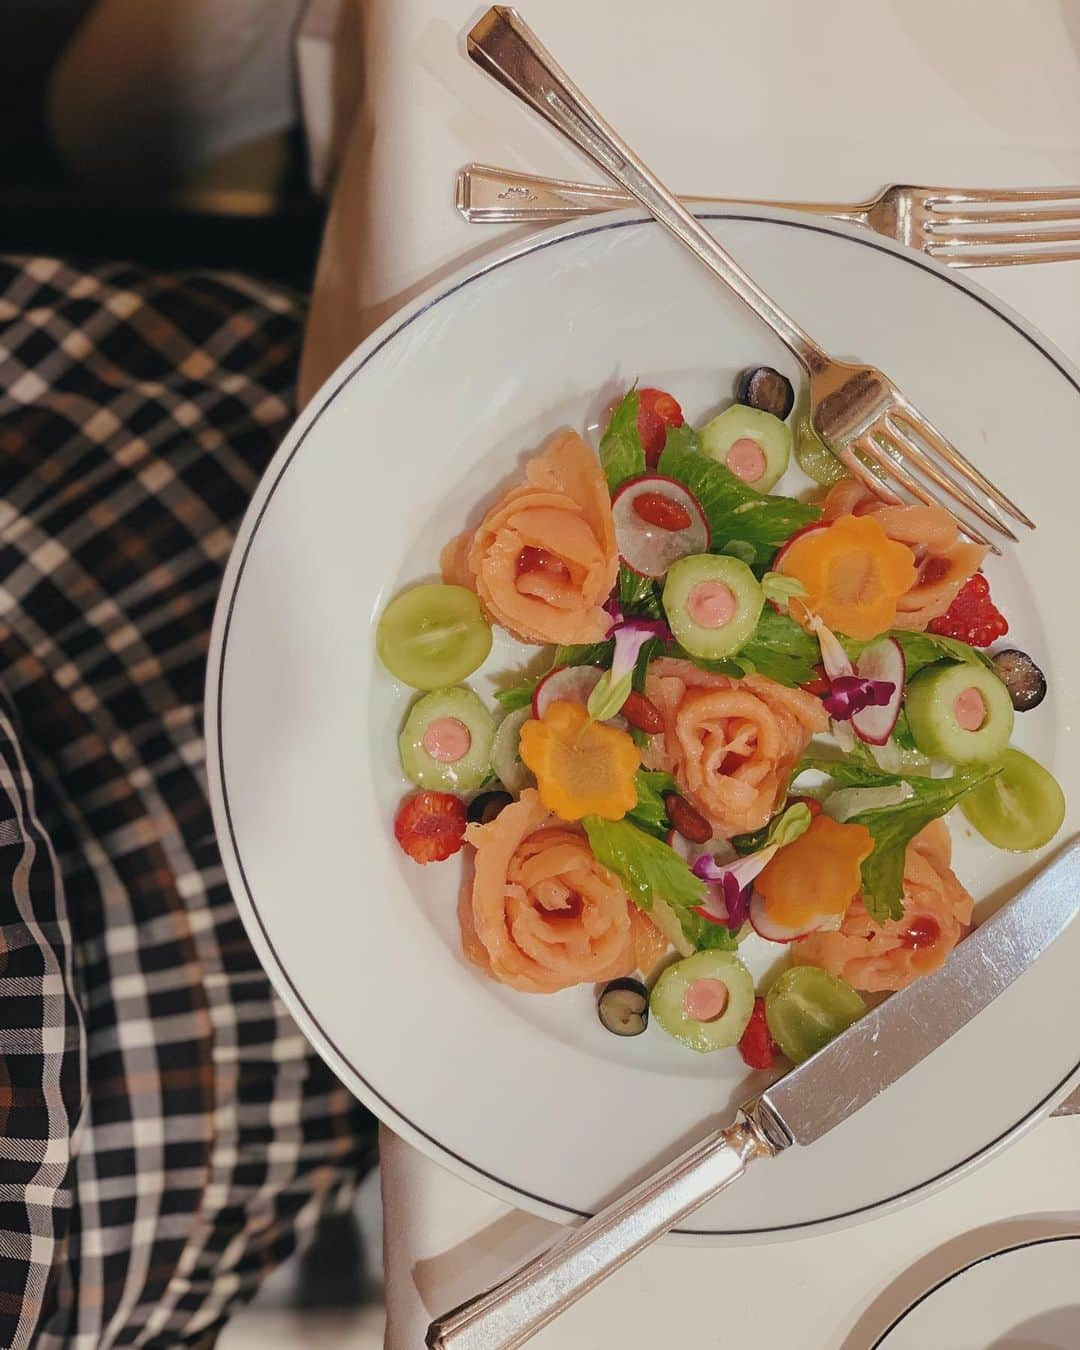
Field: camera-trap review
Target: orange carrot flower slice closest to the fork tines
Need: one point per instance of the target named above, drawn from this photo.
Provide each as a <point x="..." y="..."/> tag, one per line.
<point x="854" y="576"/>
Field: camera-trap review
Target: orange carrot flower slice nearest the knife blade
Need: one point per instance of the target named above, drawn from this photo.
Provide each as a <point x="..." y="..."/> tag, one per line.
<point x="817" y="875"/>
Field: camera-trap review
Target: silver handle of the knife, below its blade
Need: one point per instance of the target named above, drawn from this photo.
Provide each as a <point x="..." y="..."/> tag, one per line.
<point x="514" y="1312"/>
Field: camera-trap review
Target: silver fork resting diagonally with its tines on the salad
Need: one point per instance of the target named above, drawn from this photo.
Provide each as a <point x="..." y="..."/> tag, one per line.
<point x="857" y="410"/>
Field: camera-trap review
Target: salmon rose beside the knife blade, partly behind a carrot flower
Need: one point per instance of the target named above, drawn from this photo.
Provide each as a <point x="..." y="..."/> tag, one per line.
<point x="884" y="958"/>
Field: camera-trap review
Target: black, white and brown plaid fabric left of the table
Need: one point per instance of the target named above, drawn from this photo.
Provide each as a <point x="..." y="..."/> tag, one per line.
<point x="167" y="1135"/>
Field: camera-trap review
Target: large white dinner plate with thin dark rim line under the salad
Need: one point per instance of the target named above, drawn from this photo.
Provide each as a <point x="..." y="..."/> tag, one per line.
<point x="529" y="1096"/>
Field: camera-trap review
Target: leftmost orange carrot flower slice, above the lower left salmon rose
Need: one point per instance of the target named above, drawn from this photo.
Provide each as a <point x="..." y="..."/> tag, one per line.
<point x="581" y="767"/>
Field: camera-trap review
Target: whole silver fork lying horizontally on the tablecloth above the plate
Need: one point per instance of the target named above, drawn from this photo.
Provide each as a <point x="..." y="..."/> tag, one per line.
<point x="963" y="227"/>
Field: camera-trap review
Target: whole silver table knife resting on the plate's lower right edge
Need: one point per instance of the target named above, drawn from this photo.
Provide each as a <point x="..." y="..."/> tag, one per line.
<point x="809" y="1102"/>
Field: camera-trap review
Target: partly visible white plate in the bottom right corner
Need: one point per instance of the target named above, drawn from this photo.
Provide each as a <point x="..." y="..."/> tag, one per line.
<point x="1023" y="1298"/>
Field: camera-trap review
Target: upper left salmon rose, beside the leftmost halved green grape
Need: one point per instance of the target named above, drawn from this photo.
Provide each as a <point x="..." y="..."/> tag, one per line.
<point x="545" y="560"/>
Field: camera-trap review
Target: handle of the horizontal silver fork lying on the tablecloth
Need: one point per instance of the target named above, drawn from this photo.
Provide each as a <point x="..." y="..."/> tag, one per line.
<point x="502" y="196"/>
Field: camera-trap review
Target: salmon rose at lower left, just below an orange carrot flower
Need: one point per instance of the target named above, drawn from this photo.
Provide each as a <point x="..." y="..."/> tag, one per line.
<point x="542" y="913"/>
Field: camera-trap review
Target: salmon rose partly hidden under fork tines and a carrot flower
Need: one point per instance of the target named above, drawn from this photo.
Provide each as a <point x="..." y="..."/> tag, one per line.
<point x="944" y="560"/>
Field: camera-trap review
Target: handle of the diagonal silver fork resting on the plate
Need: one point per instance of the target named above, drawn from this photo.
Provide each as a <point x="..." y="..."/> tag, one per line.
<point x="504" y="45"/>
